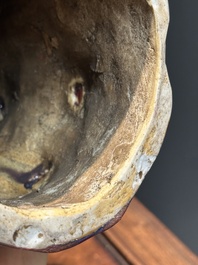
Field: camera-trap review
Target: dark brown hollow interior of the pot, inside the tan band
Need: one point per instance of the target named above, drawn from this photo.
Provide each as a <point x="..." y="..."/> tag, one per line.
<point x="68" y="73"/>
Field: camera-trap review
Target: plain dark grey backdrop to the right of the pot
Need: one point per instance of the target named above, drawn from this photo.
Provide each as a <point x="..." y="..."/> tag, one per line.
<point x="170" y="189"/>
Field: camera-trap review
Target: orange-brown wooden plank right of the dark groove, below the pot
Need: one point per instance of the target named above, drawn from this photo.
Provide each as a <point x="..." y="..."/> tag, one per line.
<point x="143" y="239"/>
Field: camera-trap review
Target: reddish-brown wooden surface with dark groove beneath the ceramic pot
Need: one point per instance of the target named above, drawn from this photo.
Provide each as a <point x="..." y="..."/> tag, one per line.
<point x="138" y="239"/>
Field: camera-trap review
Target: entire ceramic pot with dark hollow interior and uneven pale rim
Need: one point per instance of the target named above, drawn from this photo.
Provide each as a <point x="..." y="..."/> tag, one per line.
<point x="84" y="105"/>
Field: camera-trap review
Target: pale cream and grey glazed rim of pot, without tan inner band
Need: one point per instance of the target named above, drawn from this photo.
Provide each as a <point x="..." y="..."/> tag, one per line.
<point x="40" y="229"/>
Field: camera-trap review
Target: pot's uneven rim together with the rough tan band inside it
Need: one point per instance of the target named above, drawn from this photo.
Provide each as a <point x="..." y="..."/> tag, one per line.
<point x="108" y="184"/>
